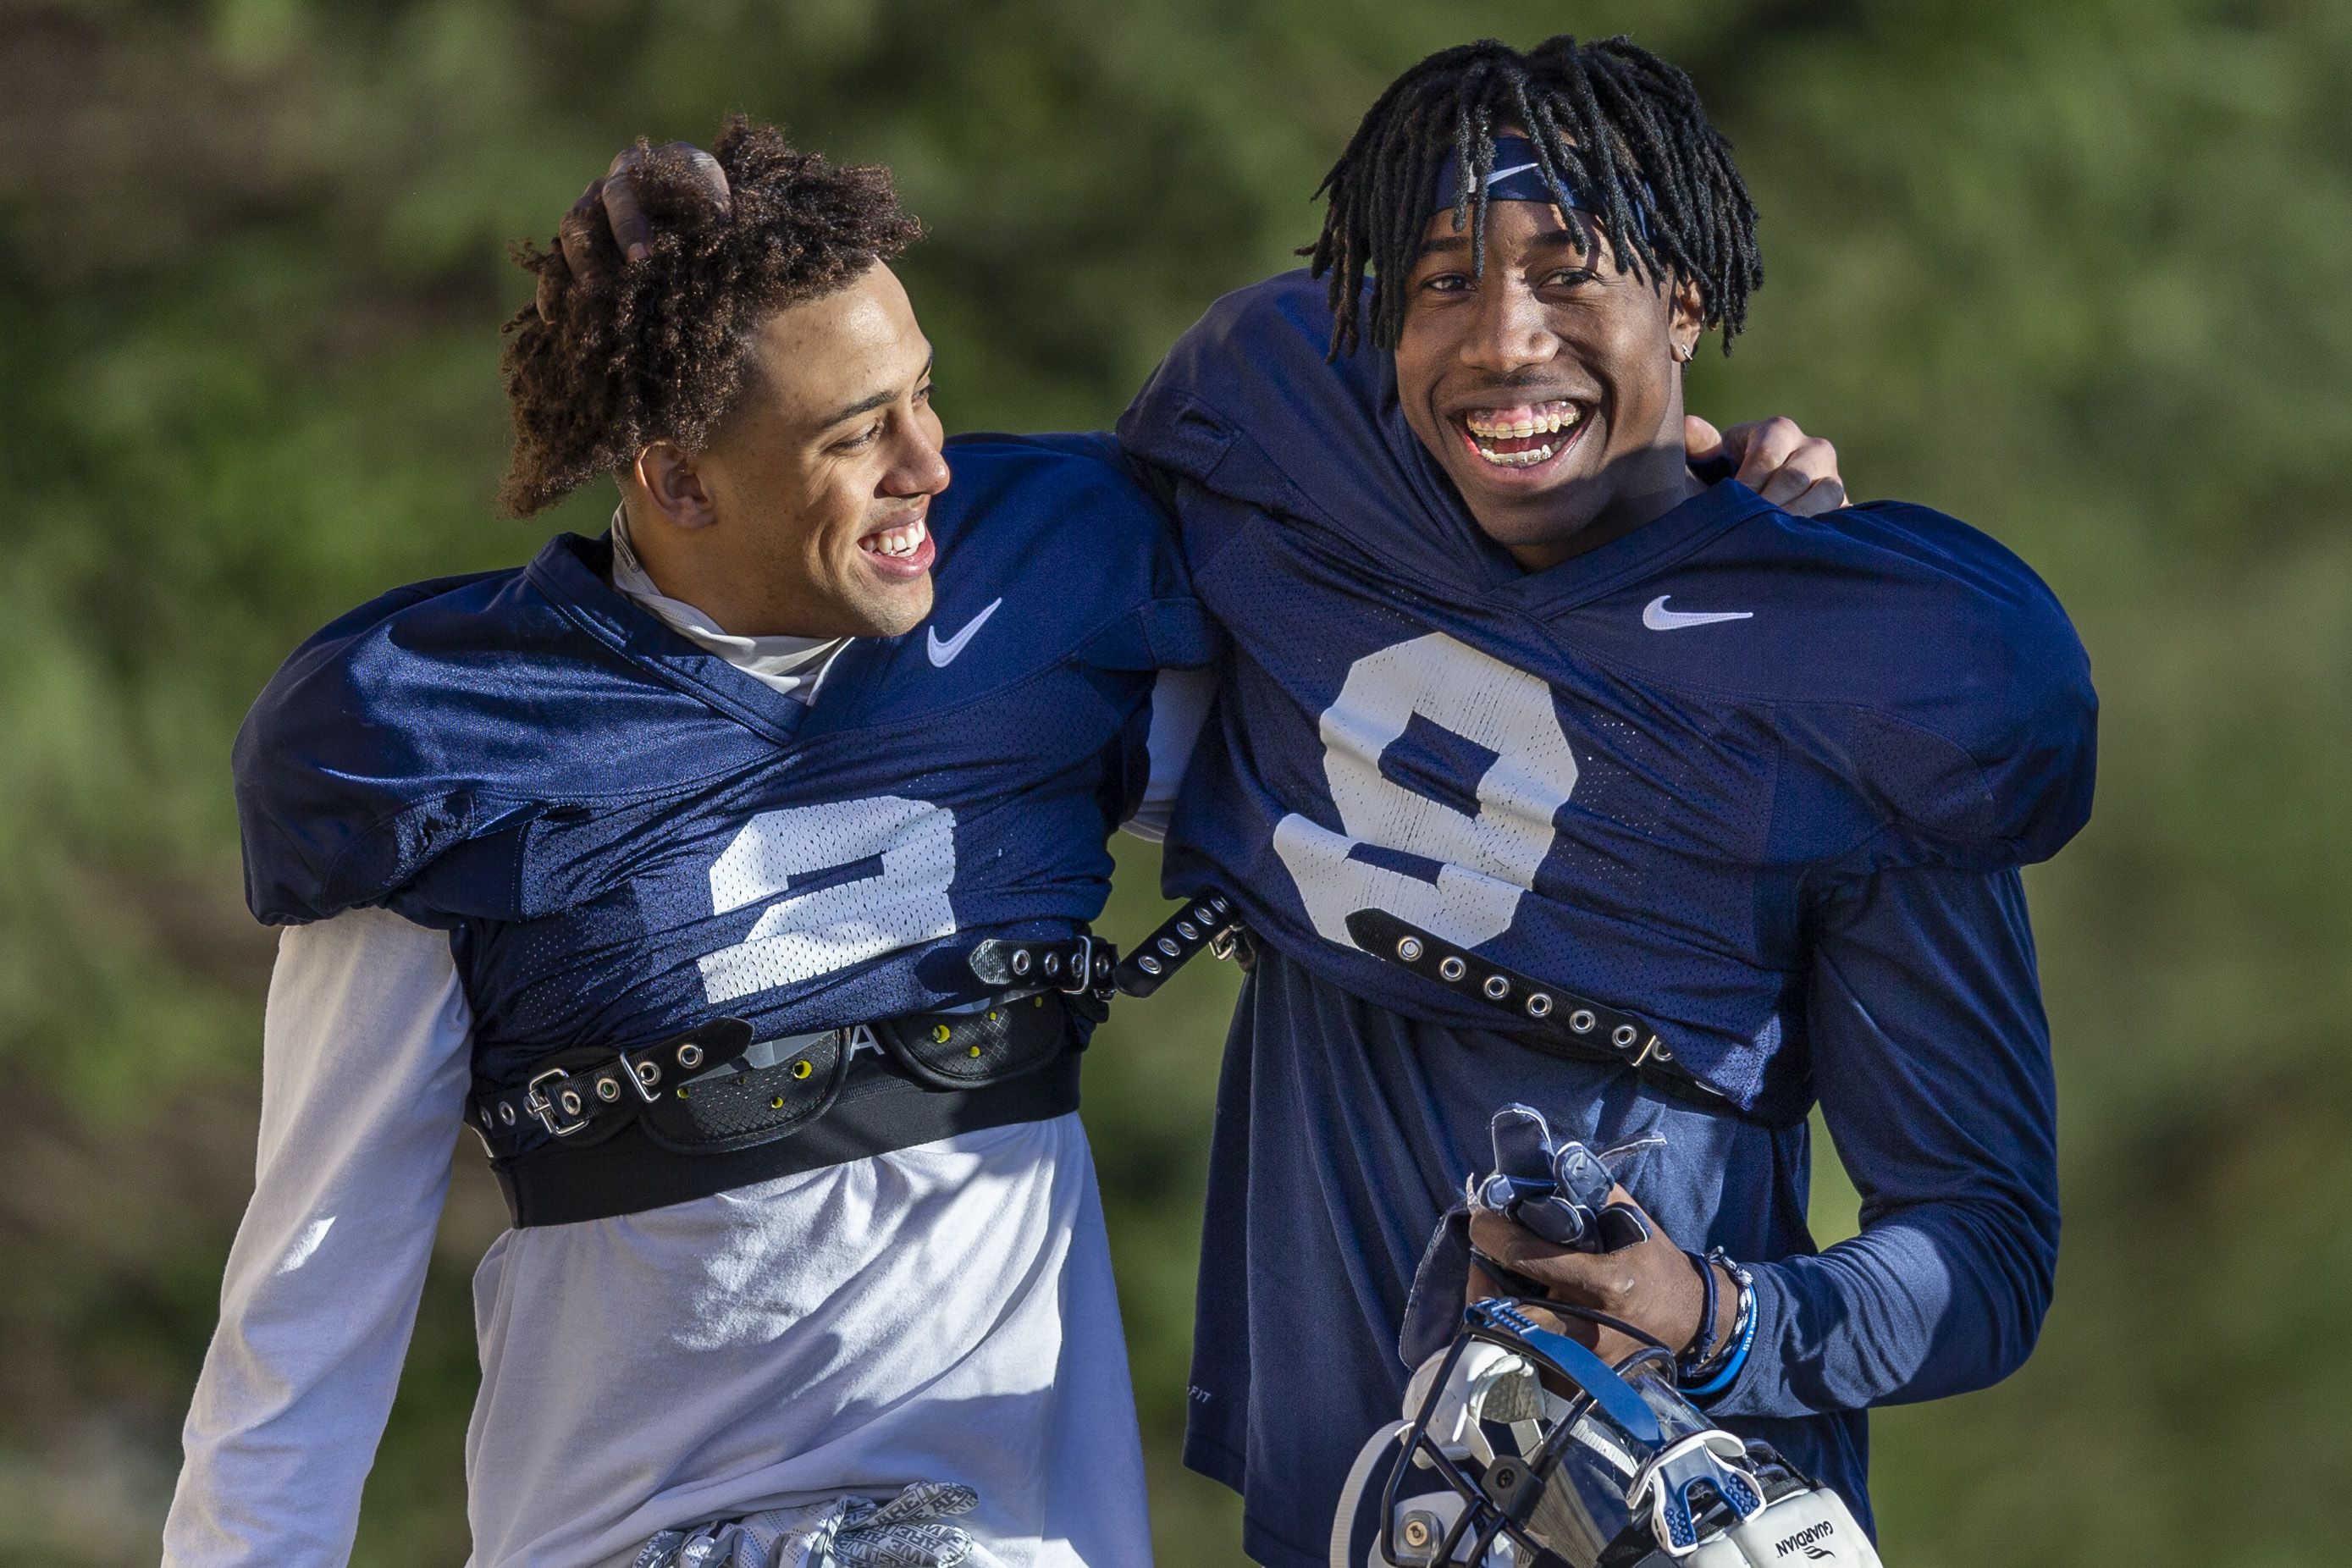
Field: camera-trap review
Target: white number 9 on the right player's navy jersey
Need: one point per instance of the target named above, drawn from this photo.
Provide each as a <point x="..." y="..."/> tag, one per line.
<point x="1483" y="859"/>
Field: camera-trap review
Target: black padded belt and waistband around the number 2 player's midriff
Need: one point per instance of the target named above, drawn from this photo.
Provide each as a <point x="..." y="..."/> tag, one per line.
<point x="601" y="1132"/>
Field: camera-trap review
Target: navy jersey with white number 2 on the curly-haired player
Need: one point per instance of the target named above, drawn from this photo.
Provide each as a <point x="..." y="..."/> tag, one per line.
<point x="627" y="836"/>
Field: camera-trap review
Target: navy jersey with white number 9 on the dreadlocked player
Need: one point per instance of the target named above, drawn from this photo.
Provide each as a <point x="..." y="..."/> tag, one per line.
<point x="1624" y="775"/>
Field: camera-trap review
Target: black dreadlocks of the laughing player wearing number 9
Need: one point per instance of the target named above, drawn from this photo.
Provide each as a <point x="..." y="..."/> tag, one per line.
<point x="1612" y="126"/>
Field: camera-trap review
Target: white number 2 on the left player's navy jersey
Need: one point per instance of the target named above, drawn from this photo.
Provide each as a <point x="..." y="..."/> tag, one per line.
<point x="871" y="878"/>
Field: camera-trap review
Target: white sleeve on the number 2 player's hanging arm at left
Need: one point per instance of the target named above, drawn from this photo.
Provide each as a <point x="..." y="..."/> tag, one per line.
<point x="363" y="1092"/>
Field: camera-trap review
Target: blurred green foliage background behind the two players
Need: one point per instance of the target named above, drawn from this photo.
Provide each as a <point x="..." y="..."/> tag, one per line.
<point x="2071" y="269"/>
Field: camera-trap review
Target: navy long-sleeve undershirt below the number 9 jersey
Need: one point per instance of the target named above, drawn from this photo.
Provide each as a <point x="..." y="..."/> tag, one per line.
<point x="1344" y="1132"/>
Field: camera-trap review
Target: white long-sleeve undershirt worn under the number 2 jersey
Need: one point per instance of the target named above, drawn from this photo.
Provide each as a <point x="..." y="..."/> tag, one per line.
<point x="930" y="1315"/>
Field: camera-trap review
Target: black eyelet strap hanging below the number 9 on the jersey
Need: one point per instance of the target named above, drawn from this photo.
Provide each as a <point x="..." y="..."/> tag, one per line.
<point x="1544" y="1017"/>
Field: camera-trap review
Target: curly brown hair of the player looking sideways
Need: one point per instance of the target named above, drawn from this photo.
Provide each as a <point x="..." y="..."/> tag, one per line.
<point x="660" y="349"/>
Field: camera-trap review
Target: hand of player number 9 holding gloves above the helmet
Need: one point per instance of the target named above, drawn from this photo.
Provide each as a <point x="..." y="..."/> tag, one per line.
<point x="1648" y="1285"/>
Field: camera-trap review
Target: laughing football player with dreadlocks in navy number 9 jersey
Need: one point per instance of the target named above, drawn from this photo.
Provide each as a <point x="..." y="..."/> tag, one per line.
<point x="1553" y="770"/>
